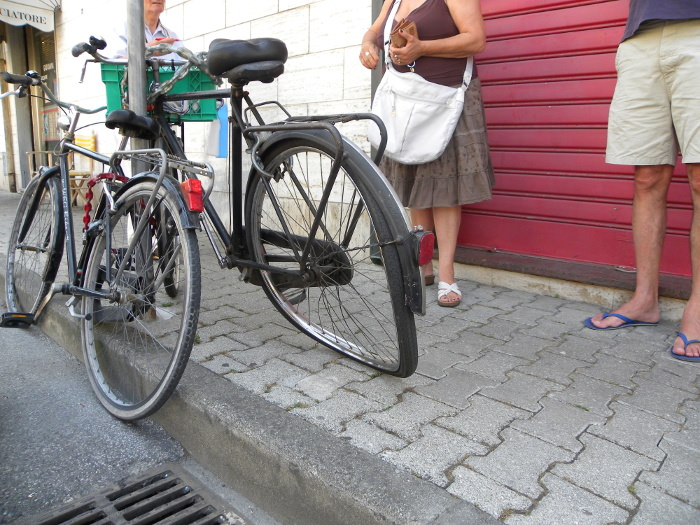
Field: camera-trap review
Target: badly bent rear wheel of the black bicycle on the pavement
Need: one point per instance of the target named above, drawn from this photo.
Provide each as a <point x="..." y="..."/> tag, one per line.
<point x="348" y="303"/>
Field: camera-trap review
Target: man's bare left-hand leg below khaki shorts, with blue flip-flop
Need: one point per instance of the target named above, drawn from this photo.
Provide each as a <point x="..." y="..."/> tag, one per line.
<point x="648" y="227"/>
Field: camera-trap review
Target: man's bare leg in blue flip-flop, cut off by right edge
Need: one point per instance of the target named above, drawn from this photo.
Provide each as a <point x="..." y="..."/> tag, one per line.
<point x="690" y="322"/>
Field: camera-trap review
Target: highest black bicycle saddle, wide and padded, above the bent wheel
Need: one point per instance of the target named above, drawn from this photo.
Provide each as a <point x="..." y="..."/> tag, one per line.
<point x="243" y="61"/>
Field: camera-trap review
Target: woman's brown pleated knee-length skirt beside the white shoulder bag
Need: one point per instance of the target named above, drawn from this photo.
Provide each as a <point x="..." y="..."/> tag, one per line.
<point x="463" y="174"/>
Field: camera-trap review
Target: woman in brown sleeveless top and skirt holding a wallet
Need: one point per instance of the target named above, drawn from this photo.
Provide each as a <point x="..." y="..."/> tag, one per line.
<point x="449" y="31"/>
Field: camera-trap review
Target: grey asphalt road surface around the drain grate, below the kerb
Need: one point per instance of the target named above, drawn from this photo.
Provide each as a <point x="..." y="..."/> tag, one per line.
<point x="57" y="444"/>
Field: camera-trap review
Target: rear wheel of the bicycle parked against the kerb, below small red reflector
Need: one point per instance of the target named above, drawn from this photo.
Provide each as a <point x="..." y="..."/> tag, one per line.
<point x="136" y="346"/>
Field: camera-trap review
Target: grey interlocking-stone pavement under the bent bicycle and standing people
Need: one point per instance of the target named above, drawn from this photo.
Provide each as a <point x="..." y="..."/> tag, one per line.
<point x="515" y="406"/>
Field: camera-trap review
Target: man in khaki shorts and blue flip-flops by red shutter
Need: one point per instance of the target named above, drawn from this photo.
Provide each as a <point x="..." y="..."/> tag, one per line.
<point x="655" y="112"/>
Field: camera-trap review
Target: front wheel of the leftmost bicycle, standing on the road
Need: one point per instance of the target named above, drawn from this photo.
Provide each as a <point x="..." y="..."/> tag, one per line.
<point x="36" y="245"/>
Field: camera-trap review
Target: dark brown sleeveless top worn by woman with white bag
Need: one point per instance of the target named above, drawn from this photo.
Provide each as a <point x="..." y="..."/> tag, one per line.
<point x="433" y="21"/>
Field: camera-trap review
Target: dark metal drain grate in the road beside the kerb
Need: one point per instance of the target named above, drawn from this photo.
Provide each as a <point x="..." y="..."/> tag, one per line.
<point x="164" y="498"/>
